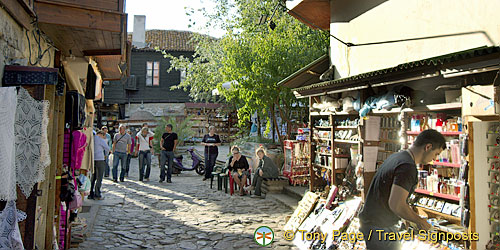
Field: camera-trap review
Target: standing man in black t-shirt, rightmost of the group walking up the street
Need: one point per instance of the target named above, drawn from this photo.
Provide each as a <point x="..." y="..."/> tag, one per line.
<point x="168" y="144"/>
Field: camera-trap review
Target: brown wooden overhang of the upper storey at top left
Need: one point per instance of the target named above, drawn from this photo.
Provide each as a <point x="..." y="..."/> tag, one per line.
<point x="95" y="28"/>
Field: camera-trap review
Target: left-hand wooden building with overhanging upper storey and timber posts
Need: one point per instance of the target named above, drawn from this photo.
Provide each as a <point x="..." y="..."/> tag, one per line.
<point x="56" y="34"/>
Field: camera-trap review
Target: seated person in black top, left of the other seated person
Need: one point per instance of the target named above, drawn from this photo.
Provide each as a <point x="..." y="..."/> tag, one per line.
<point x="238" y="167"/>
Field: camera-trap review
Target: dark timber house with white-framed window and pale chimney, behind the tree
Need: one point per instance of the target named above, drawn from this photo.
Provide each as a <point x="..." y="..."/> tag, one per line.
<point x="149" y="86"/>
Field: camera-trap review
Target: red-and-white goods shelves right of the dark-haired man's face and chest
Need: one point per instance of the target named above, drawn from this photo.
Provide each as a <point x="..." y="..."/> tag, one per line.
<point x="442" y="182"/>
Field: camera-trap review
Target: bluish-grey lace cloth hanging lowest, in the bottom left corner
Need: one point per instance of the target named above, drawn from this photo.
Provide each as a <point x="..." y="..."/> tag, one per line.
<point x="10" y="236"/>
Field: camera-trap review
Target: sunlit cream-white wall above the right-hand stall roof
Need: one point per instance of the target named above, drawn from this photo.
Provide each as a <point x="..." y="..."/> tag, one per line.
<point x="400" y="19"/>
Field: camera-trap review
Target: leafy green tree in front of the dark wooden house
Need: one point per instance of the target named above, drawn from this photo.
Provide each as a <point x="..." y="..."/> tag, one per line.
<point x="252" y="57"/>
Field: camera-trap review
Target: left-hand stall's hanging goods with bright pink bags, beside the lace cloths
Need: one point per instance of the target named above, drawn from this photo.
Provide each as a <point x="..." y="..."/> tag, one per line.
<point x="78" y="149"/>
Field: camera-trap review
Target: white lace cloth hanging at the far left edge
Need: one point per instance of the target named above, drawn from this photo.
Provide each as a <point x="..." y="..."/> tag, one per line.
<point x="8" y="102"/>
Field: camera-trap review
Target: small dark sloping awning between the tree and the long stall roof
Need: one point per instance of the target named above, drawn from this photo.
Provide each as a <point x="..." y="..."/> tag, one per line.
<point x="308" y="74"/>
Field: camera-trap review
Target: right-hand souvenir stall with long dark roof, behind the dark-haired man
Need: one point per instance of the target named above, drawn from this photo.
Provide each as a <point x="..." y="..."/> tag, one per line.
<point x="357" y="122"/>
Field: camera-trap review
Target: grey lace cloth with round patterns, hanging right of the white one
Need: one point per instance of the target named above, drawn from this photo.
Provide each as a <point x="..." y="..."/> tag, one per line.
<point x="32" y="145"/>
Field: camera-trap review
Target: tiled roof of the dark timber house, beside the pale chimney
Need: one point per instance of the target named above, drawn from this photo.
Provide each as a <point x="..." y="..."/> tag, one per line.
<point x="169" y="40"/>
